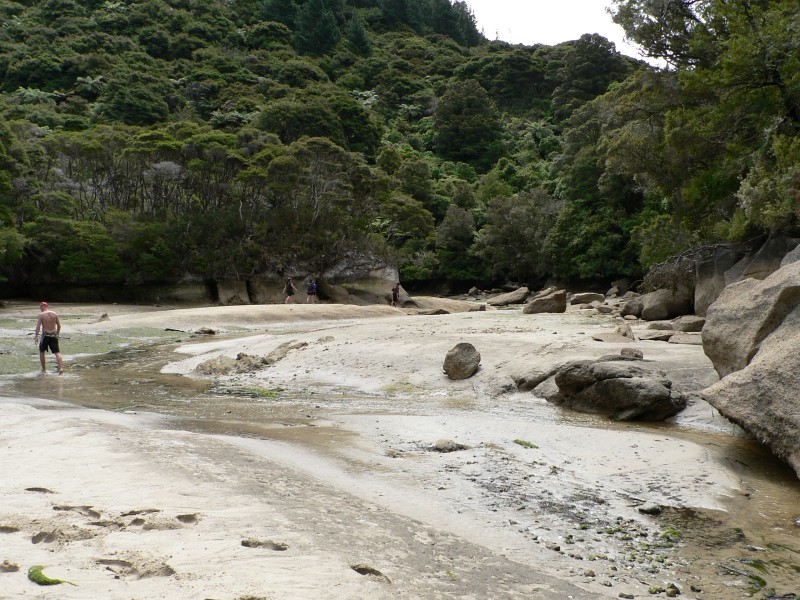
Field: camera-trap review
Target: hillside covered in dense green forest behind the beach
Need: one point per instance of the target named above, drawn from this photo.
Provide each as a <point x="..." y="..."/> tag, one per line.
<point x="144" y="141"/>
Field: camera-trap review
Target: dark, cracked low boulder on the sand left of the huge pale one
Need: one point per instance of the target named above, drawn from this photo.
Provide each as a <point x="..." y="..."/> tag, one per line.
<point x="622" y="389"/>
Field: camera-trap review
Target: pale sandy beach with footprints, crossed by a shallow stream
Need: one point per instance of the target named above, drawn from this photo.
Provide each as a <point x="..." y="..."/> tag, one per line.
<point x="314" y="477"/>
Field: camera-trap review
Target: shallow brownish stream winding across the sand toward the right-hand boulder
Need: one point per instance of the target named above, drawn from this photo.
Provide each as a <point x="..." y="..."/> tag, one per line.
<point x="752" y="549"/>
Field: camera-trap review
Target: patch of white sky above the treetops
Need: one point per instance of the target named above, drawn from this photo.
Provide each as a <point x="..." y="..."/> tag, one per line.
<point x="547" y="22"/>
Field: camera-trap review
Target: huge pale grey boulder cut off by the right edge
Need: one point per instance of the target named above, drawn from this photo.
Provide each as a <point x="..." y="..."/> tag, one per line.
<point x="751" y="336"/>
